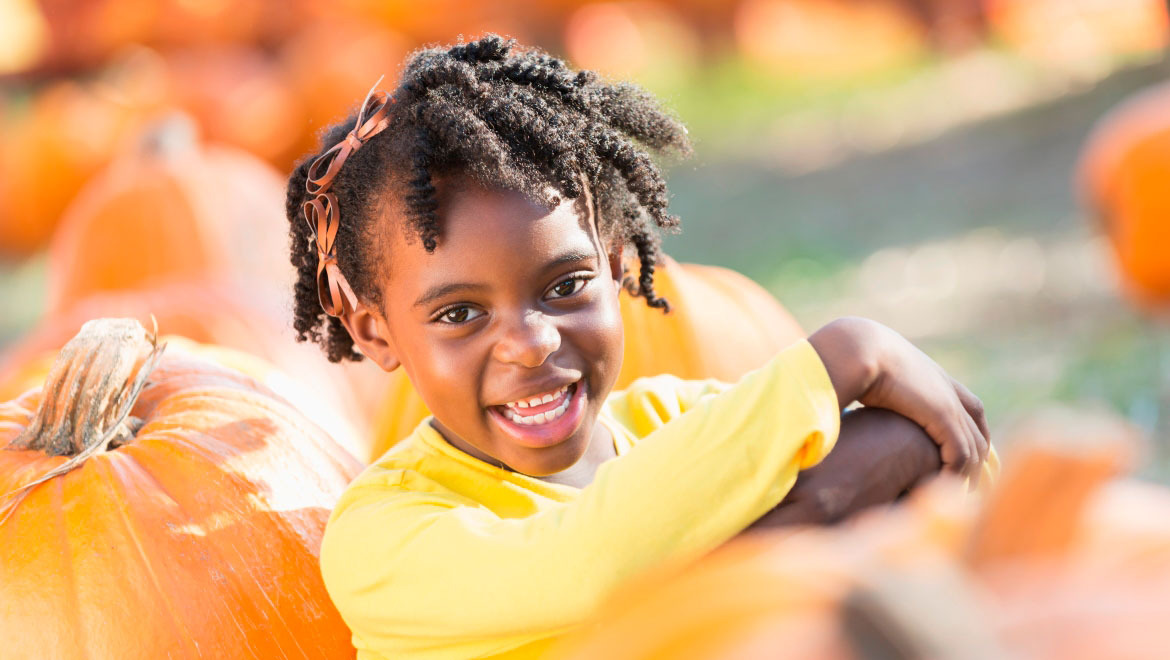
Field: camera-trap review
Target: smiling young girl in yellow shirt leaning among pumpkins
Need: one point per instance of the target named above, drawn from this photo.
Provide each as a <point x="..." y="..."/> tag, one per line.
<point x="471" y="229"/>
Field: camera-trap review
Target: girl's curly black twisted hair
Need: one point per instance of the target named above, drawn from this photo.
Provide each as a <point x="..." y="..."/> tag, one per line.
<point x="510" y="118"/>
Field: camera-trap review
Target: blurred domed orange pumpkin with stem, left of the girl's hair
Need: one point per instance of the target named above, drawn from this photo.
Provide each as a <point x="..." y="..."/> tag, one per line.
<point x="171" y="209"/>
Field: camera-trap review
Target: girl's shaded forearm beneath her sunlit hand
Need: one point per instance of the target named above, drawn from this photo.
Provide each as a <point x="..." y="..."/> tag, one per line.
<point x="878" y="457"/>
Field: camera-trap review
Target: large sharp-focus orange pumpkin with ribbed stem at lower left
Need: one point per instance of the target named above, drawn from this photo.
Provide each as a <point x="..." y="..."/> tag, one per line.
<point x="163" y="508"/>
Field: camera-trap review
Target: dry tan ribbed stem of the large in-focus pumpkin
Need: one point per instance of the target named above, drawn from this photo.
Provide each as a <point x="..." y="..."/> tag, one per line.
<point x="91" y="390"/>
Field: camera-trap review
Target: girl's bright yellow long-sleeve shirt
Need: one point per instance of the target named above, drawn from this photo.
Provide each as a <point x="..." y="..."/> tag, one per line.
<point x="435" y="554"/>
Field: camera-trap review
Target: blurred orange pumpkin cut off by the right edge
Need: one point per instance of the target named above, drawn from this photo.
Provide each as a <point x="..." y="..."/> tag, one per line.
<point x="1125" y="181"/>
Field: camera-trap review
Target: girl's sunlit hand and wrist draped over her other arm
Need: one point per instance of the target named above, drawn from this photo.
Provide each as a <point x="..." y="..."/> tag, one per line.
<point x="877" y="367"/>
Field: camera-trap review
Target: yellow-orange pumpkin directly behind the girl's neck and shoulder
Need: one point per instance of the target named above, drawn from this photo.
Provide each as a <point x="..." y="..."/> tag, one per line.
<point x="721" y="326"/>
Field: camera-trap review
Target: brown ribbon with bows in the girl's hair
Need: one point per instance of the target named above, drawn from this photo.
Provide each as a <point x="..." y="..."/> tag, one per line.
<point x="322" y="212"/>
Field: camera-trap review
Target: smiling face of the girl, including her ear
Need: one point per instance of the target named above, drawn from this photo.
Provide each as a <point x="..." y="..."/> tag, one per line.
<point x="511" y="331"/>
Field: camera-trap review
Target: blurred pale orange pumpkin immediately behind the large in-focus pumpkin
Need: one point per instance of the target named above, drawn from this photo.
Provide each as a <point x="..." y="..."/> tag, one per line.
<point x="247" y="318"/>
